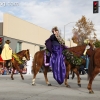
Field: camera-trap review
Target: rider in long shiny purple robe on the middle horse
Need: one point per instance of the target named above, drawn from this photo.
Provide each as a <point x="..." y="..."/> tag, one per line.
<point x="55" y="45"/>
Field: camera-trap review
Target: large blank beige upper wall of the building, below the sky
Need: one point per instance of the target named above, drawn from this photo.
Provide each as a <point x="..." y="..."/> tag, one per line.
<point x="19" y="29"/>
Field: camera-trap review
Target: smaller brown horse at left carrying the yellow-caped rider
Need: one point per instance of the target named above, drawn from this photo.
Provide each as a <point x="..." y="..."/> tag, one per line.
<point x="14" y="63"/>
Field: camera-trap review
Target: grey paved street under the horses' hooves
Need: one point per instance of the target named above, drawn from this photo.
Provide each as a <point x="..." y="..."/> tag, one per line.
<point x="19" y="89"/>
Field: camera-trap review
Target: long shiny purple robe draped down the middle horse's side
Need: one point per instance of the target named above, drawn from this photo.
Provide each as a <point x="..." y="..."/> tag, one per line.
<point x="57" y="60"/>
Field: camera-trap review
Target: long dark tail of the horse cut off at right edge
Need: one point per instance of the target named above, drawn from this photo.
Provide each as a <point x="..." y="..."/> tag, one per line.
<point x="91" y="65"/>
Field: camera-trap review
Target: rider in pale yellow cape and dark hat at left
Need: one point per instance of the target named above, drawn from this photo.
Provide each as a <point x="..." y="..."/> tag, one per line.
<point x="7" y="53"/>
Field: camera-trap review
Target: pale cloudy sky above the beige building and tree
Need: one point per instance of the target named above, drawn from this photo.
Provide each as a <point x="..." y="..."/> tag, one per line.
<point x="50" y="13"/>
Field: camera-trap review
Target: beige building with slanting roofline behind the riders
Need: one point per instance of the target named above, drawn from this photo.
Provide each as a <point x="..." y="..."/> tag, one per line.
<point x="24" y="35"/>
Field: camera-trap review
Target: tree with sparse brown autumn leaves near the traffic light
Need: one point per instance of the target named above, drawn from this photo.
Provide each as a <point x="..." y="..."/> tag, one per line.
<point x="84" y="29"/>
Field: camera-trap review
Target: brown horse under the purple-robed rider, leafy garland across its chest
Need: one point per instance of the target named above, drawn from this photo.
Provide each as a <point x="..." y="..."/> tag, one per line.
<point x="39" y="62"/>
